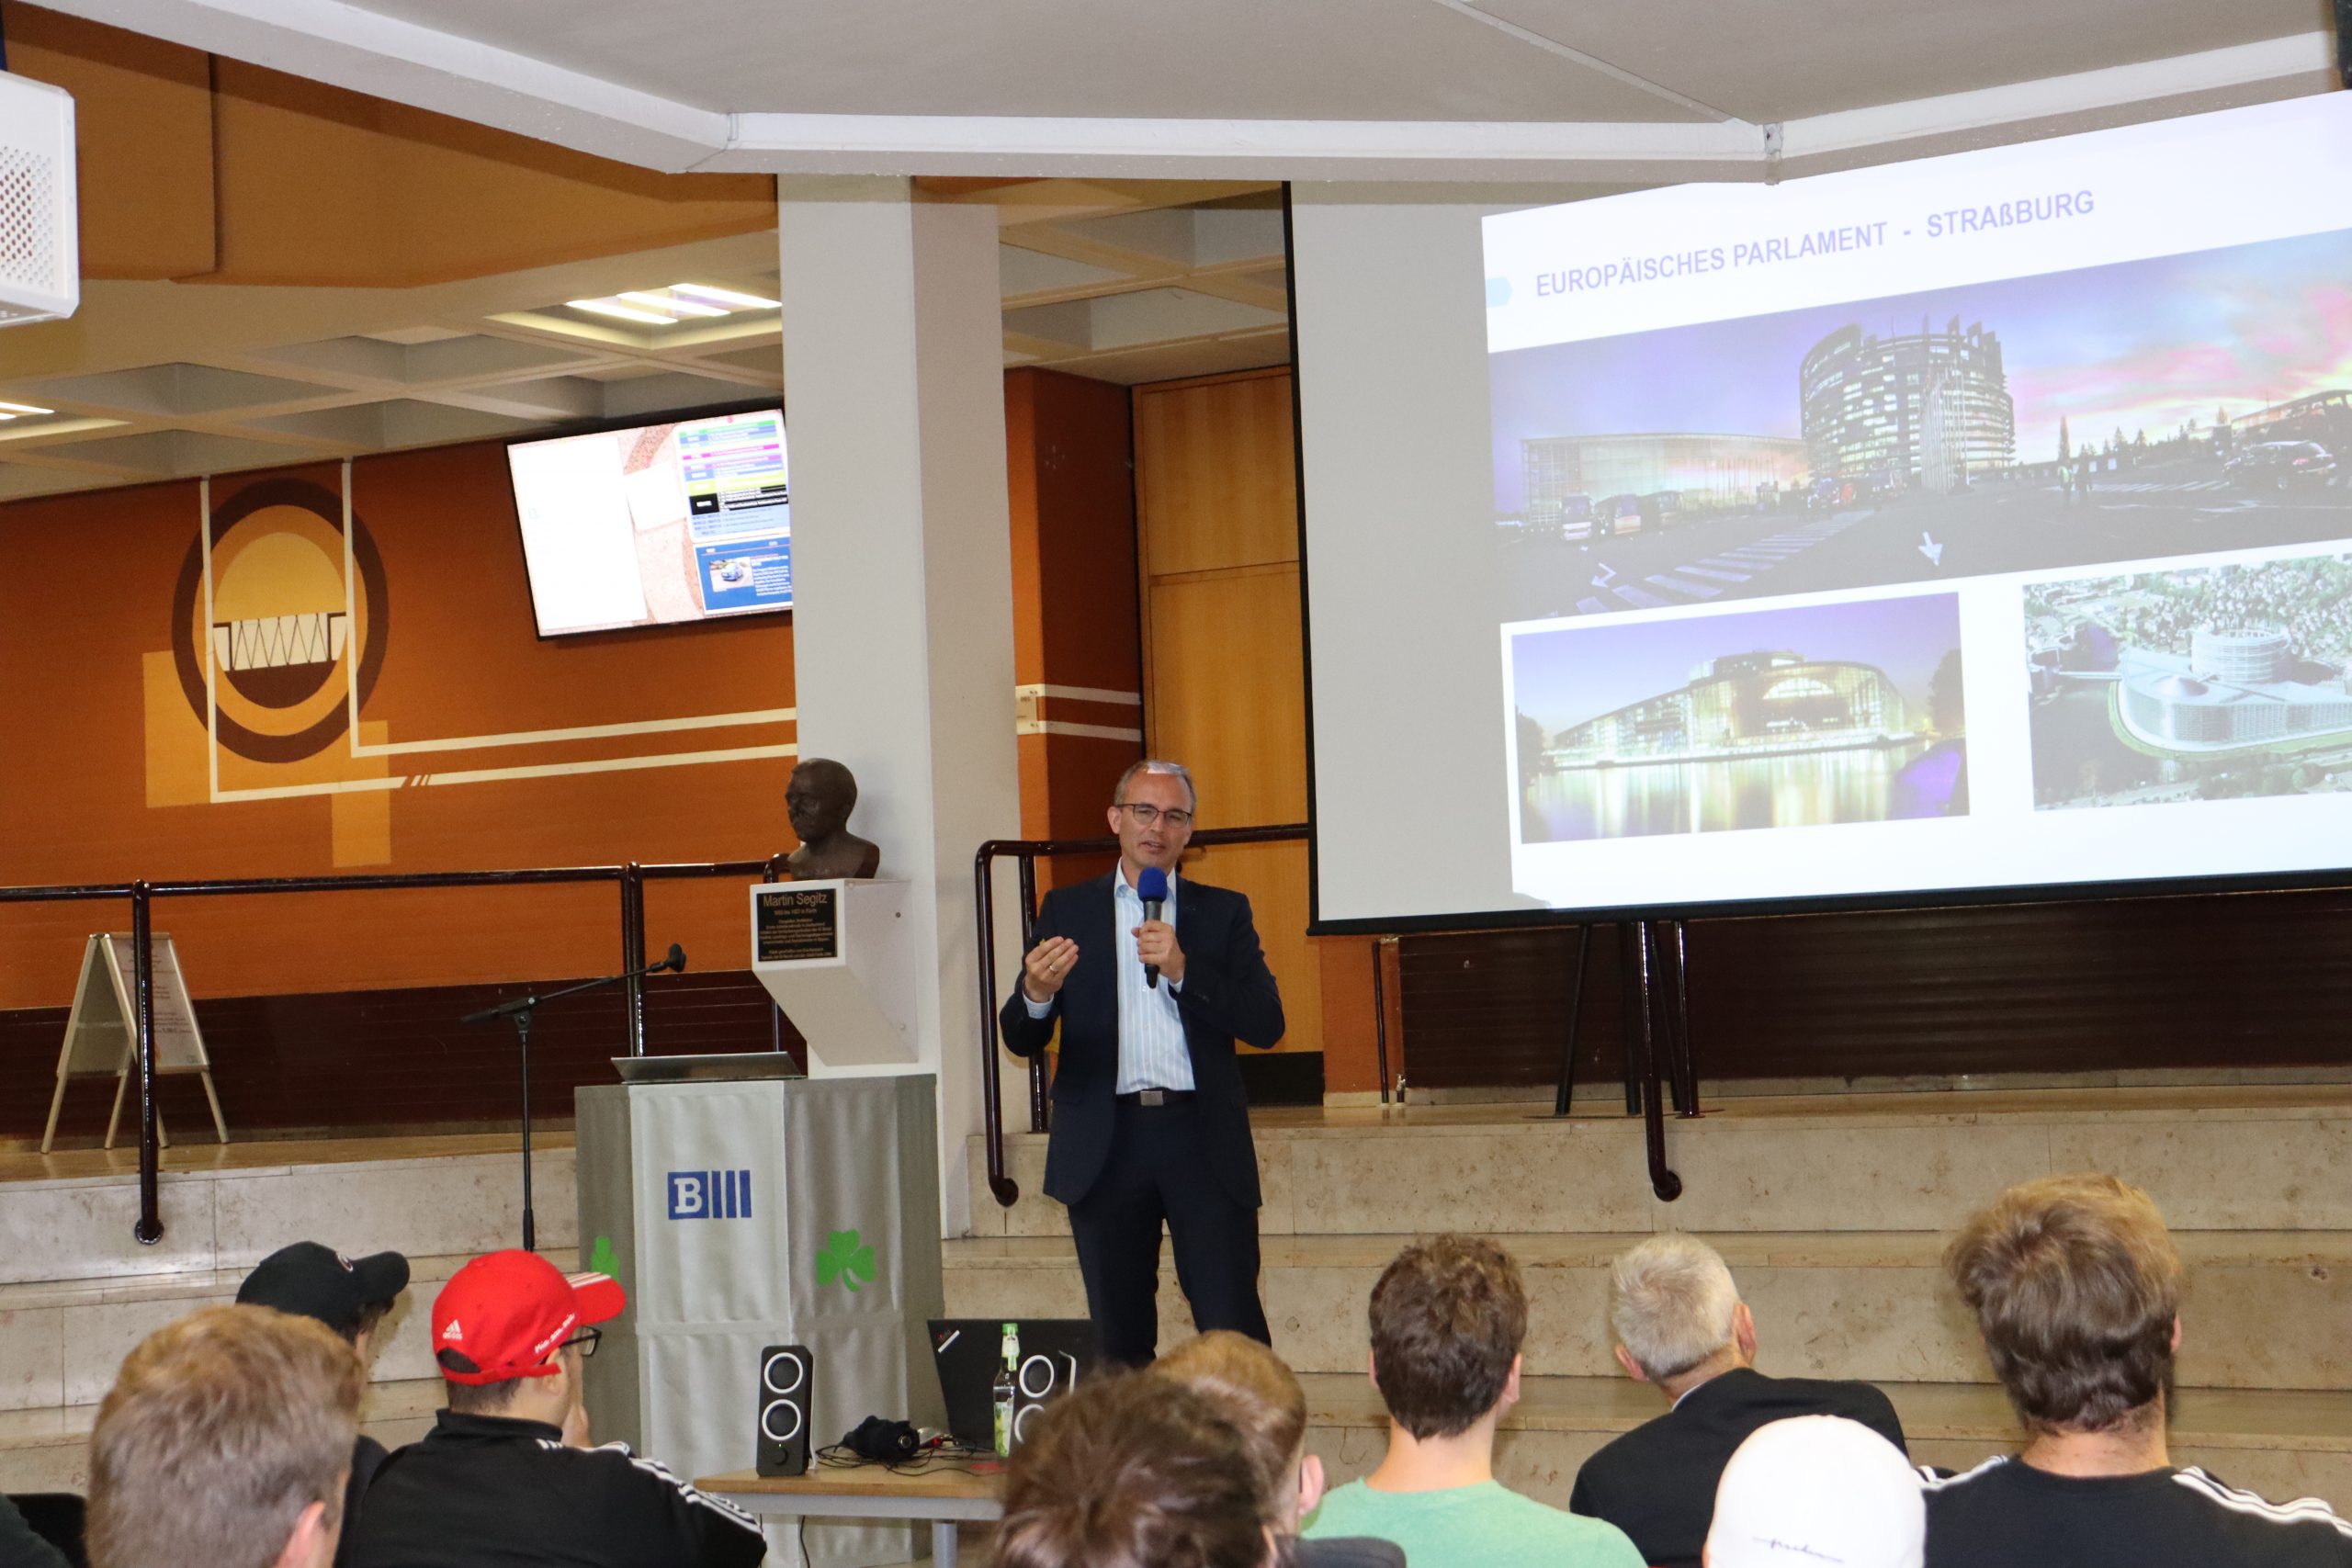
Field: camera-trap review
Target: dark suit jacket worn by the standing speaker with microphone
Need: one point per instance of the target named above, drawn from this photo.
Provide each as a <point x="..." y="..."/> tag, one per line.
<point x="1227" y="996"/>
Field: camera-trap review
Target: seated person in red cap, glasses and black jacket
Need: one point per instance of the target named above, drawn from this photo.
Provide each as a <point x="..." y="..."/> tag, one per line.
<point x="509" y="1473"/>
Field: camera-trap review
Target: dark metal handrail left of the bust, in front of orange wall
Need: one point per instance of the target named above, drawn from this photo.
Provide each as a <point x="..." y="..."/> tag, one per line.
<point x="145" y="894"/>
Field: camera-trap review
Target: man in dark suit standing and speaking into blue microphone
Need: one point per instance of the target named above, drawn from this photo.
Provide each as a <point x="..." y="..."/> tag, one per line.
<point x="1149" y="1113"/>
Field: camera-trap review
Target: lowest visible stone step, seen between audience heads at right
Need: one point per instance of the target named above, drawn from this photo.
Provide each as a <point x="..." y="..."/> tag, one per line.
<point x="2283" y="1445"/>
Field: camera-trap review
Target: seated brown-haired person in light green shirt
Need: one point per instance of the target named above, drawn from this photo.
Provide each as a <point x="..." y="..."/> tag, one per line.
<point x="1448" y="1322"/>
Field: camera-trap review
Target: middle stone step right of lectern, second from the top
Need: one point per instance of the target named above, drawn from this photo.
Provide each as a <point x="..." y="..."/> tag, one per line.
<point x="2264" y="1311"/>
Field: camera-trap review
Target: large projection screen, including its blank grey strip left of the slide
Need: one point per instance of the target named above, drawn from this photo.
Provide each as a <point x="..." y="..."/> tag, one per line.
<point x="1932" y="530"/>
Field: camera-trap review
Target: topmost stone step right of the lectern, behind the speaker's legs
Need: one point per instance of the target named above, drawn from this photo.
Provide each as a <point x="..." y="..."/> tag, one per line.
<point x="2217" y="1158"/>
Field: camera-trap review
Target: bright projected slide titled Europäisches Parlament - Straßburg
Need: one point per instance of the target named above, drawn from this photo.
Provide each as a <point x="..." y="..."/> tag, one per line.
<point x="1800" y="490"/>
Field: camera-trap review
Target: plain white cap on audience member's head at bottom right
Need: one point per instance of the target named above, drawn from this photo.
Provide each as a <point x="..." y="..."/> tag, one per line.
<point x="1817" y="1489"/>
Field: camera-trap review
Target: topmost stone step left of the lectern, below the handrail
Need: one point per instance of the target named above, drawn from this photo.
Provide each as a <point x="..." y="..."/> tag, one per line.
<point x="227" y="1207"/>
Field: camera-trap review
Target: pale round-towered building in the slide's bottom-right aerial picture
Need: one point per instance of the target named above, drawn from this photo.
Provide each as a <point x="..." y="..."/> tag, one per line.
<point x="2236" y="688"/>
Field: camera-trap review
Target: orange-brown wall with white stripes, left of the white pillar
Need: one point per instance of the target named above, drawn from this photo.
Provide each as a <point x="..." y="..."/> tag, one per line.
<point x="107" y="765"/>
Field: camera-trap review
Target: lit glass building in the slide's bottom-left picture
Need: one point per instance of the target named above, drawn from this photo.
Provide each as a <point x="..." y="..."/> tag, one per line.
<point x="1746" y="706"/>
